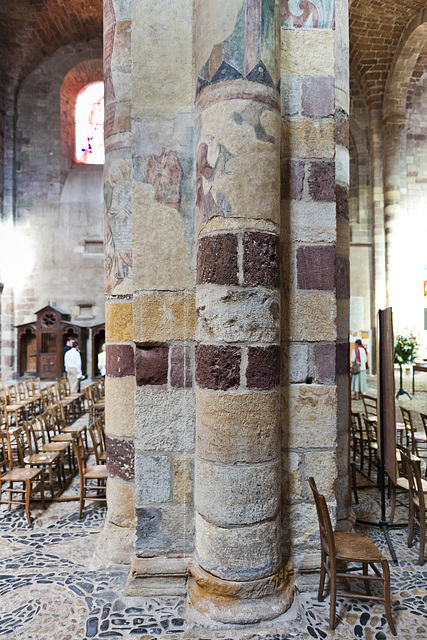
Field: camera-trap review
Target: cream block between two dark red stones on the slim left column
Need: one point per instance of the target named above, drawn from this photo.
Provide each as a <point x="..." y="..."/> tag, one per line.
<point x="119" y="407"/>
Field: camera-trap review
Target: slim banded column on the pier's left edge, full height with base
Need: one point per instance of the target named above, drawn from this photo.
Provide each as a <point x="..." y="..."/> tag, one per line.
<point x="115" y="545"/>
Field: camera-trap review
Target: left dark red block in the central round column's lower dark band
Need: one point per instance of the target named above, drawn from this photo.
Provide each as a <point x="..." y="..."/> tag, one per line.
<point x="217" y="367"/>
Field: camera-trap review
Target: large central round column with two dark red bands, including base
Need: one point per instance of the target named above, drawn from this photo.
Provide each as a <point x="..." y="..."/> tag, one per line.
<point x="237" y="572"/>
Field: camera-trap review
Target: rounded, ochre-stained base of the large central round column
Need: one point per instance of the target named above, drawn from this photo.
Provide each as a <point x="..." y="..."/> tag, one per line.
<point x="230" y="602"/>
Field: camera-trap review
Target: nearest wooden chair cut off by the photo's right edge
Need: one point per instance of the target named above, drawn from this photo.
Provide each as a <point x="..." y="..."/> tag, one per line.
<point x="417" y="502"/>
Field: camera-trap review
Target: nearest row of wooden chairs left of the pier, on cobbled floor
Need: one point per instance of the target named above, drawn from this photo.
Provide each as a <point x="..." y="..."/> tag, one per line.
<point x="46" y="449"/>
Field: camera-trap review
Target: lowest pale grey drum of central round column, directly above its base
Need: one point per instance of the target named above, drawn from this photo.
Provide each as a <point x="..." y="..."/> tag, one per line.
<point x="239" y="553"/>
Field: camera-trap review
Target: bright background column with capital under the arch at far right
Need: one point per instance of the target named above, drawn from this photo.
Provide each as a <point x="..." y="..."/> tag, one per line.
<point x="394" y="128"/>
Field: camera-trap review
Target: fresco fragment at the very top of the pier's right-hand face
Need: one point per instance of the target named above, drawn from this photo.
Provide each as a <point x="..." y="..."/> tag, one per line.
<point x="314" y="14"/>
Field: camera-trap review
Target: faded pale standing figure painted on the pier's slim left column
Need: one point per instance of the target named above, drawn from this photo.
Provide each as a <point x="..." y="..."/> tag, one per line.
<point x="118" y="224"/>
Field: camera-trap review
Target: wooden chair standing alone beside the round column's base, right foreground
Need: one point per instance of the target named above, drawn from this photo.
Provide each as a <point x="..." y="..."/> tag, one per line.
<point x="347" y="547"/>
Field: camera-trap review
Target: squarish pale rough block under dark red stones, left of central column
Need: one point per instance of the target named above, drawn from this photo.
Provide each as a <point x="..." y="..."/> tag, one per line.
<point x="165" y="420"/>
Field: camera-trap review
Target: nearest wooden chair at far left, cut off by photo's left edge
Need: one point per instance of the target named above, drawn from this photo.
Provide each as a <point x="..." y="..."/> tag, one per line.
<point x="31" y="480"/>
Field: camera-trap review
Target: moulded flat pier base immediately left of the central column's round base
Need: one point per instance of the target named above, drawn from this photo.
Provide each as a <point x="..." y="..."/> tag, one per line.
<point x="157" y="577"/>
